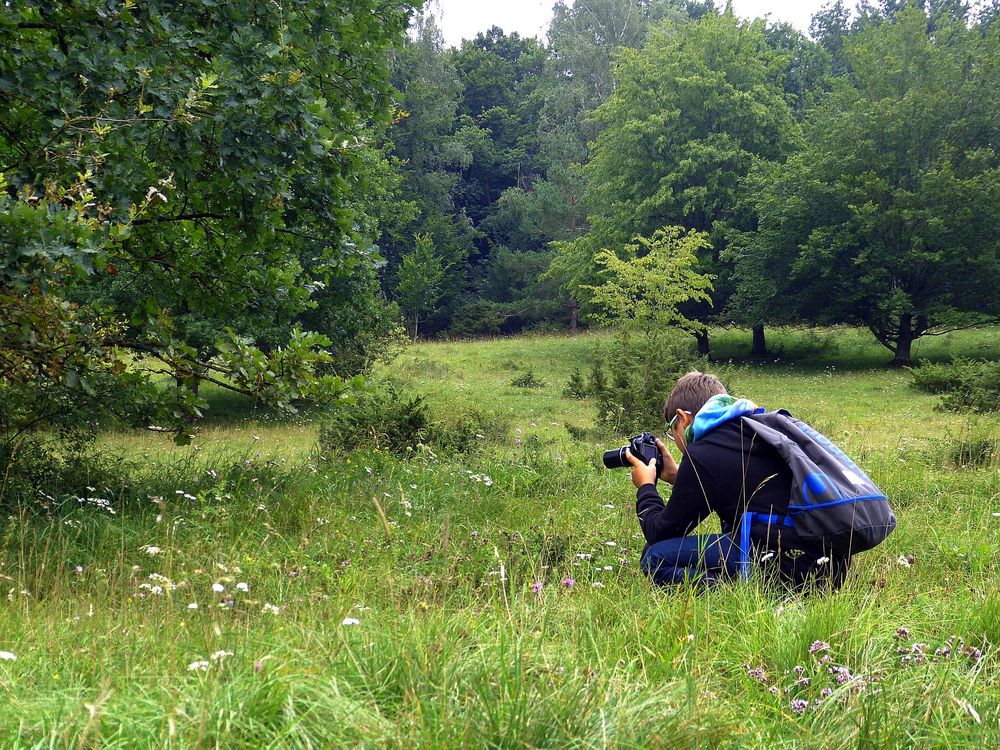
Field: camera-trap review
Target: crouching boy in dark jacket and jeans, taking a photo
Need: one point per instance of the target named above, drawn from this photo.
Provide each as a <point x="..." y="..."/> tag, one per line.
<point x="726" y="471"/>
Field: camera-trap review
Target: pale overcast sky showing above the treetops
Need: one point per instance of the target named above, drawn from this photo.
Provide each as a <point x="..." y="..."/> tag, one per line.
<point x="463" y="19"/>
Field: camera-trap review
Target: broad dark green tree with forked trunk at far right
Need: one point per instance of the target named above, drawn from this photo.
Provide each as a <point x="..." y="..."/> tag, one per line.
<point x="888" y="214"/>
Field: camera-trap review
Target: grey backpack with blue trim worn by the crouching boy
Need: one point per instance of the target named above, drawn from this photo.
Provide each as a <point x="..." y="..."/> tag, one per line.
<point x="834" y="504"/>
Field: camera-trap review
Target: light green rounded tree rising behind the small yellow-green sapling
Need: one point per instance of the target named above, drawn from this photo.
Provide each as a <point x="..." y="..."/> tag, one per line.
<point x="692" y="111"/>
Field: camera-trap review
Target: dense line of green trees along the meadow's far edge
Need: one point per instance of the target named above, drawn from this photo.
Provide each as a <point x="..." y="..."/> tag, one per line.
<point x="845" y="176"/>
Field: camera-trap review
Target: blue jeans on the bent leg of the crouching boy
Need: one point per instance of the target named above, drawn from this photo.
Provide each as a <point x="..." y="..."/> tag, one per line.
<point x="707" y="558"/>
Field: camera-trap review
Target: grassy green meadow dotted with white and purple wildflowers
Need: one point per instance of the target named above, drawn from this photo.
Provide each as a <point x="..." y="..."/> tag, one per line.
<point x="252" y="591"/>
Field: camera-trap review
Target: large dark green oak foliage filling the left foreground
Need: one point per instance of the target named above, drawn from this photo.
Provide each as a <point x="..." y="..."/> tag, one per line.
<point x="176" y="181"/>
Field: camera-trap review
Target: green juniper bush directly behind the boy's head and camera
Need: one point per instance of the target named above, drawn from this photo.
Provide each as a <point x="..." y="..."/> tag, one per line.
<point x="641" y="372"/>
